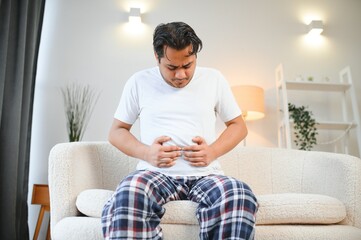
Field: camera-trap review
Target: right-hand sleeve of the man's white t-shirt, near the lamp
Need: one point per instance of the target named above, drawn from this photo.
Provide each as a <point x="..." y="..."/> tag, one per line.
<point x="226" y="106"/>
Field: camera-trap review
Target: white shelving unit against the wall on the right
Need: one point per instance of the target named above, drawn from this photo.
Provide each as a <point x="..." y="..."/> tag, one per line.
<point x="345" y="88"/>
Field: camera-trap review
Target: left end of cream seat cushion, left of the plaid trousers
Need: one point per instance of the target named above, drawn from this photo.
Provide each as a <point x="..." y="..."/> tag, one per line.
<point x="90" y="202"/>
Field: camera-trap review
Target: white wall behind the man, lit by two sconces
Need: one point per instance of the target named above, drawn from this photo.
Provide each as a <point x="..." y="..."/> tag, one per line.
<point x="87" y="41"/>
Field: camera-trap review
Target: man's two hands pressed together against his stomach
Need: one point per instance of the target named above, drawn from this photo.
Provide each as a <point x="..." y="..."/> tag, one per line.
<point x="198" y="155"/>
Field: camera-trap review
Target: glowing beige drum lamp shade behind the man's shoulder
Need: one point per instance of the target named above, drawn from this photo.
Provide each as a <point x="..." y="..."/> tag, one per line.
<point x="251" y="101"/>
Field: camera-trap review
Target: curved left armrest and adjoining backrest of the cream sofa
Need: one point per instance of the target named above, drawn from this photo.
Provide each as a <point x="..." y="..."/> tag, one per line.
<point x="75" y="167"/>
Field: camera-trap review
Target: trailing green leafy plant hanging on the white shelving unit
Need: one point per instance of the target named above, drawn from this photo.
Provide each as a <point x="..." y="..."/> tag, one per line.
<point x="304" y="125"/>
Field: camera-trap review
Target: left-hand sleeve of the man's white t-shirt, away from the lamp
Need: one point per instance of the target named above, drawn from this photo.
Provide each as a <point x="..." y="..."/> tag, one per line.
<point x="128" y="108"/>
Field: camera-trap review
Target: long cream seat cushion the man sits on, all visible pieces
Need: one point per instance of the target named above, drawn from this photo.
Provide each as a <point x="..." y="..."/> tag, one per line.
<point x="286" y="208"/>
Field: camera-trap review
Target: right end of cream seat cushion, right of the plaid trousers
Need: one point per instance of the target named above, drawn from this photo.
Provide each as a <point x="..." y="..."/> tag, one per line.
<point x="296" y="208"/>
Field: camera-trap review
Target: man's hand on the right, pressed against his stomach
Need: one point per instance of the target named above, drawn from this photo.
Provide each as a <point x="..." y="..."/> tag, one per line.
<point x="200" y="155"/>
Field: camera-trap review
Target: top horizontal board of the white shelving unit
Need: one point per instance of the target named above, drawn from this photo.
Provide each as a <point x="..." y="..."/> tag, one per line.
<point x="317" y="86"/>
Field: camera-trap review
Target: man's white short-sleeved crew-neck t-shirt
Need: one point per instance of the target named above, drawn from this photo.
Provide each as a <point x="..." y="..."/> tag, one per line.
<point x="180" y="113"/>
